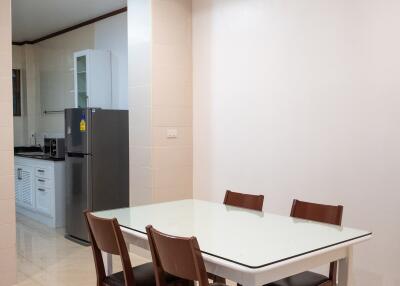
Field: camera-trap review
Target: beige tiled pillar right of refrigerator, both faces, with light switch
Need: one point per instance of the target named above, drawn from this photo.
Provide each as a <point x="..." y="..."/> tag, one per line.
<point x="160" y="98"/>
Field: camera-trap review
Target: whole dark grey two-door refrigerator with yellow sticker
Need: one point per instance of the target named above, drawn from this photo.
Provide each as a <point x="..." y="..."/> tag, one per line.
<point x="97" y="165"/>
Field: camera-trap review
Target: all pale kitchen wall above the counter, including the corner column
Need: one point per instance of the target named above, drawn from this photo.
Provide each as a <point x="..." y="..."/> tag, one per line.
<point x="47" y="83"/>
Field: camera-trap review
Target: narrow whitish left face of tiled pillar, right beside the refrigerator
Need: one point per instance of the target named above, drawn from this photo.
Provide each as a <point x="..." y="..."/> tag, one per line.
<point x="139" y="90"/>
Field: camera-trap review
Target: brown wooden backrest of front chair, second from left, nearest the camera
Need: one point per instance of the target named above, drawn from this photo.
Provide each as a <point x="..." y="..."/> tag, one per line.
<point x="179" y="256"/>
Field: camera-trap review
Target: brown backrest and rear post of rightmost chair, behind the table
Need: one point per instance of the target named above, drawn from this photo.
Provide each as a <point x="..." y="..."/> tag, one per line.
<point x="320" y="213"/>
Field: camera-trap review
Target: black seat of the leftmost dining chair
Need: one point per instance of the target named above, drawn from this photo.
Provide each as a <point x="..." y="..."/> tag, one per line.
<point x="144" y="276"/>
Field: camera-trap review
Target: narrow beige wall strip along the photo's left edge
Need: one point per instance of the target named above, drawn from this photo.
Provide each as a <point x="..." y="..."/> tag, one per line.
<point x="7" y="203"/>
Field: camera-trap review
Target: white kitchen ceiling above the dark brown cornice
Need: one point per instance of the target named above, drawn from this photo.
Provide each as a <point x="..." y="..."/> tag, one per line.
<point x="32" y="19"/>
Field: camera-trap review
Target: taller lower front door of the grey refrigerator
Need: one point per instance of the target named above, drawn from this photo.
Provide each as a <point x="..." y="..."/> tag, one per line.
<point x="79" y="194"/>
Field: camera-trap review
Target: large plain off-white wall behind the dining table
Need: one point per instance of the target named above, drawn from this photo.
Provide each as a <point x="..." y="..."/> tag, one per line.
<point x="300" y="99"/>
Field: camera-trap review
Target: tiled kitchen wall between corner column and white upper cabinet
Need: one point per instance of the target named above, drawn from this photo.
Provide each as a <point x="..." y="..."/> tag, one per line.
<point x="55" y="63"/>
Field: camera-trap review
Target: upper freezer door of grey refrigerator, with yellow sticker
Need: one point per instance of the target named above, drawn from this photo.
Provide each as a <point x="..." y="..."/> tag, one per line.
<point x="78" y="123"/>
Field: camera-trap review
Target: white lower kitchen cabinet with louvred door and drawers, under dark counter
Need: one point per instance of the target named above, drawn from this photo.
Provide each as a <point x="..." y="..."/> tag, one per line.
<point x="40" y="190"/>
